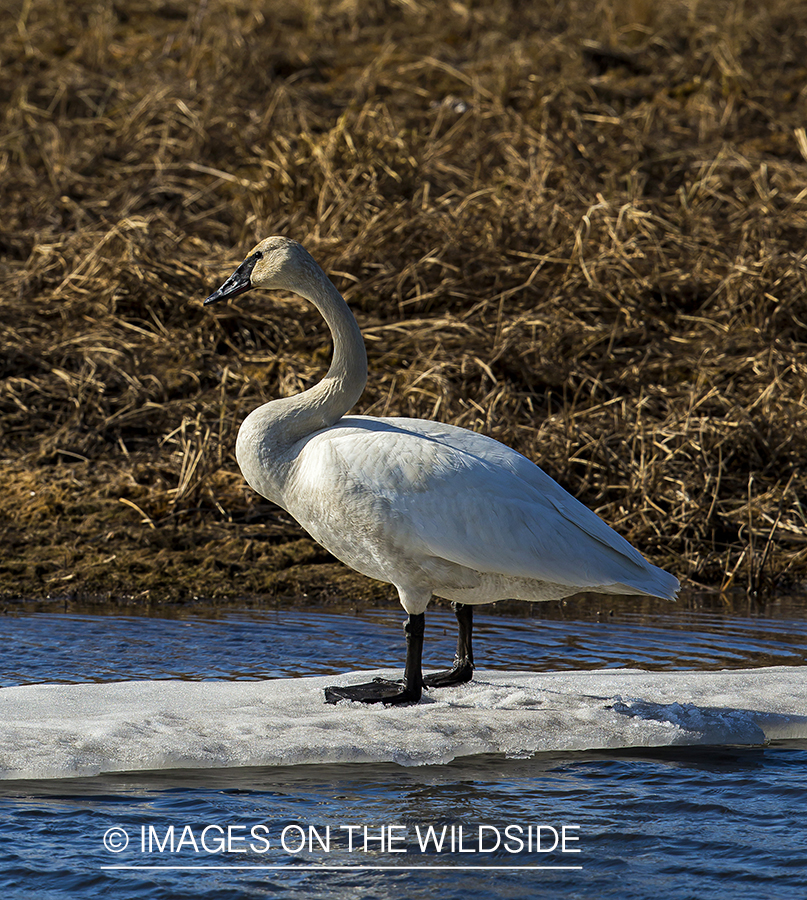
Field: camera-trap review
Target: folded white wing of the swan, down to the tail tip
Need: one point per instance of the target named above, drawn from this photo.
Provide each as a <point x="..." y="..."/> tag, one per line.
<point x="451" y="494"/>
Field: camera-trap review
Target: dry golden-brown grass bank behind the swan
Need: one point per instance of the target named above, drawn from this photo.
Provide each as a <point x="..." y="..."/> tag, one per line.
<point x="576" y="227"/>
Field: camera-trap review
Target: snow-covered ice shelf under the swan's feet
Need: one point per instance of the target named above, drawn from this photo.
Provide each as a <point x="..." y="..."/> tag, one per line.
<point x="53" y="731"/>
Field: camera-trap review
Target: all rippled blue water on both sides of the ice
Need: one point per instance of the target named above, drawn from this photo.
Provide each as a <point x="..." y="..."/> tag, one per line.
<point x="720" y="823"/>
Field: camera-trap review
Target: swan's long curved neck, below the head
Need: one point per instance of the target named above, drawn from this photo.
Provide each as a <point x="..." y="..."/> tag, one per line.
<point x="274" y="427"/>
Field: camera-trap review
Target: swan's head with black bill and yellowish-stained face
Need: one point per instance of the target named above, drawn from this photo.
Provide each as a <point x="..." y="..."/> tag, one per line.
<point x="277" y="263"/>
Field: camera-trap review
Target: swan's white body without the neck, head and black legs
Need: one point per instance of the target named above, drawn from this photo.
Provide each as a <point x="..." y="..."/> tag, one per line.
<point x="439" y="510"/>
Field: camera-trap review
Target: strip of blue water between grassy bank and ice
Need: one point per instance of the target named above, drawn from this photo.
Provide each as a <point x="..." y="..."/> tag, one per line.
<point x="251" y="645"/>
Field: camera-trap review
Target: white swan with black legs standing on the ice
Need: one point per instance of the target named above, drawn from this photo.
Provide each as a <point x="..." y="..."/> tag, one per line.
<point x="433" y="509"/>
